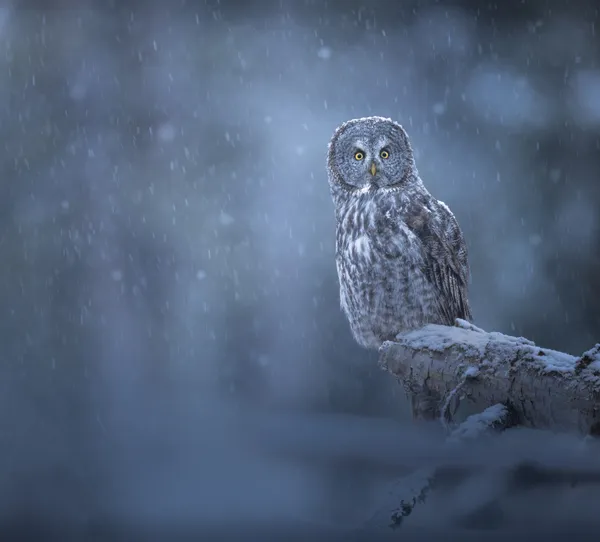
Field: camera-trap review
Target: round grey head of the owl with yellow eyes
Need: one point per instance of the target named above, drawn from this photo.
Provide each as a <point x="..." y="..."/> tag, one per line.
<point x="370" y="153"/>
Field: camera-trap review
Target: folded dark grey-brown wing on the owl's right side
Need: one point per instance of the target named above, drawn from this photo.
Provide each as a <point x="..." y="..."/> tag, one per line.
<point x="446" y="261"/>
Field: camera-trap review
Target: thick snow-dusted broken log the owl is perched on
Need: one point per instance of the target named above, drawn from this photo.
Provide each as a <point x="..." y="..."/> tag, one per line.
<point x="441" y="366"/>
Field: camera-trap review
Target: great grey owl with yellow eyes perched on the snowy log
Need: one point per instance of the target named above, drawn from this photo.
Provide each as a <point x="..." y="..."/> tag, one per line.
<point x="400" y="254"/>
